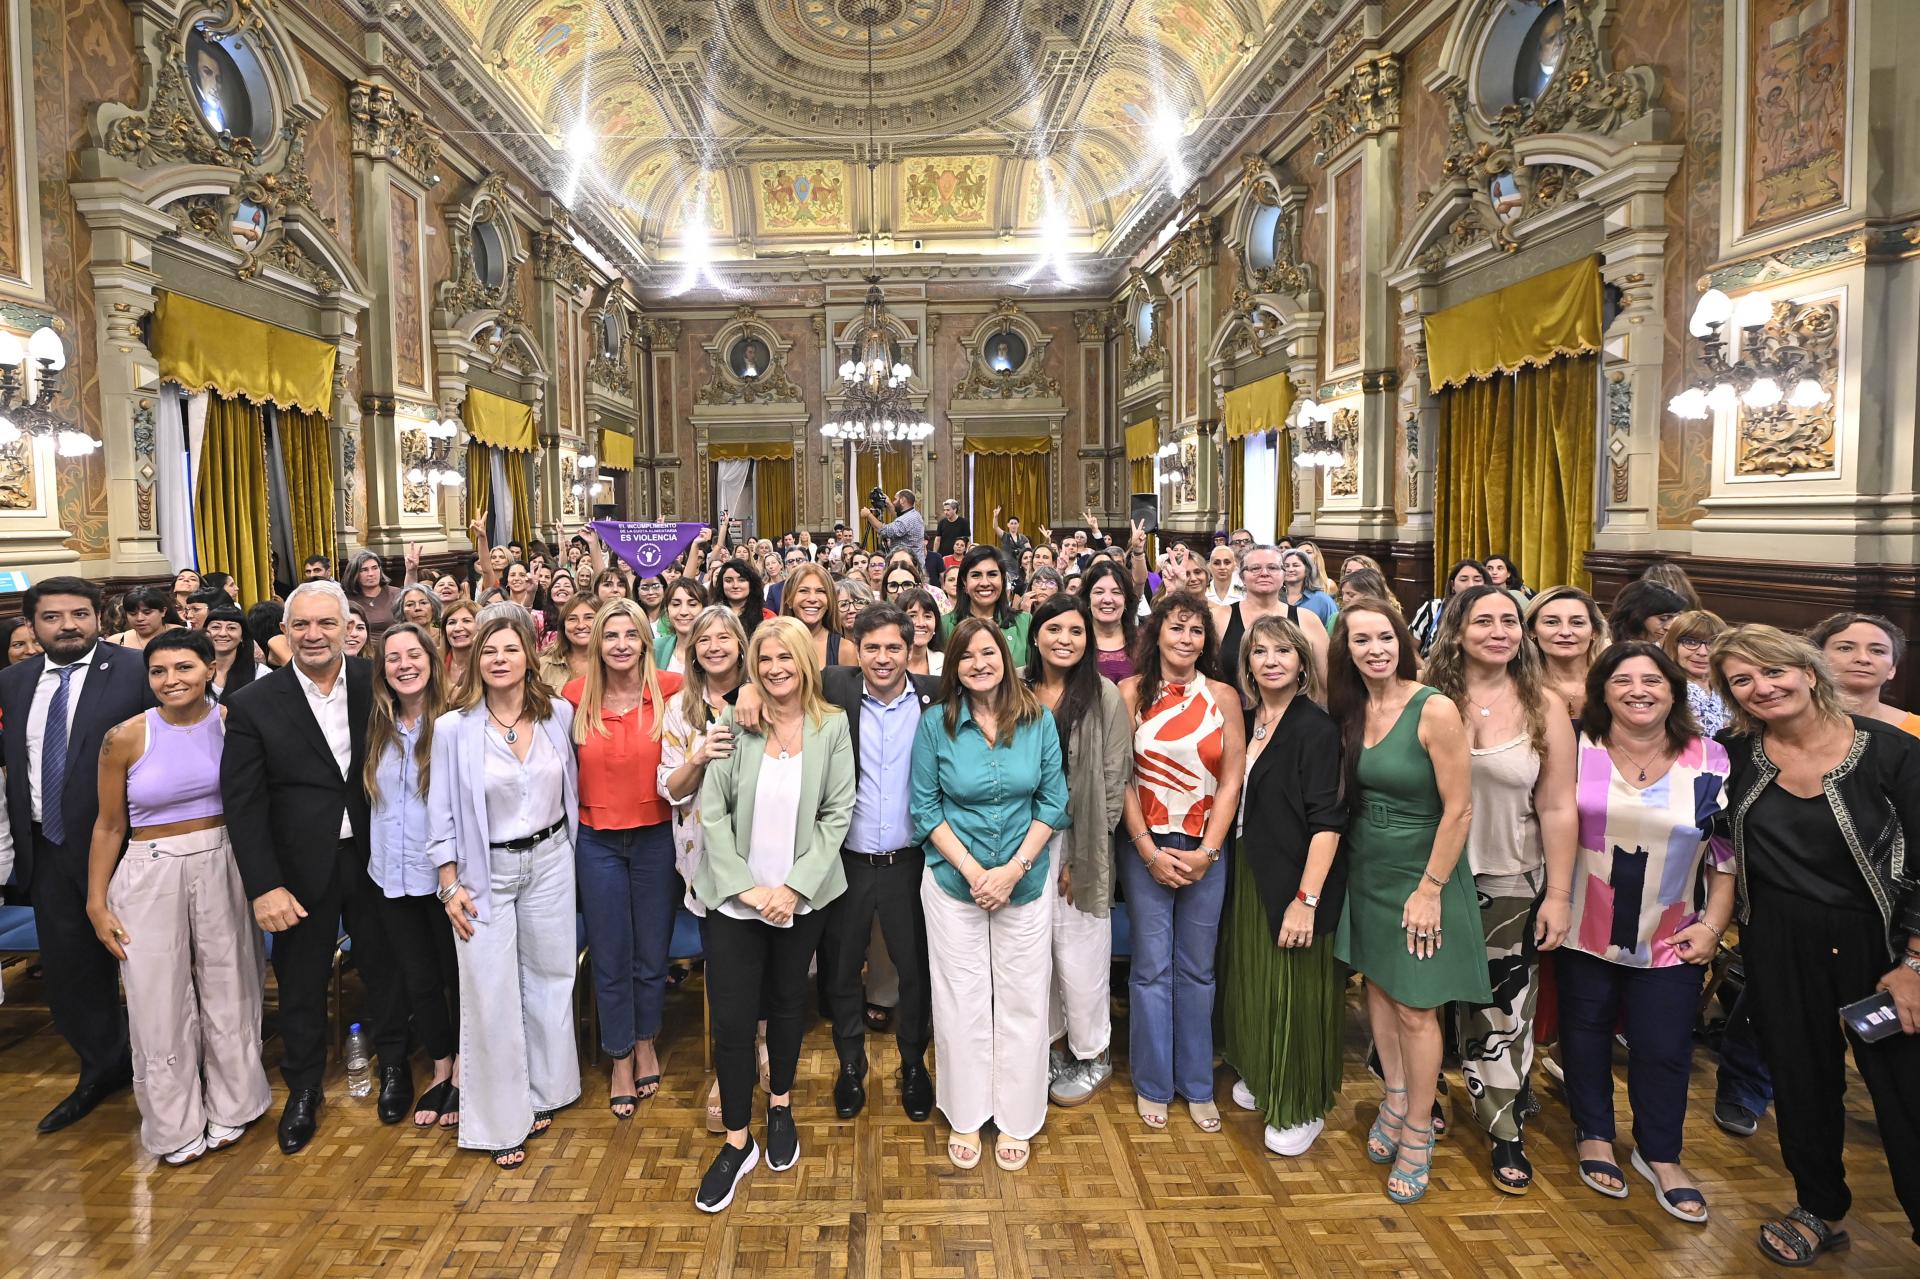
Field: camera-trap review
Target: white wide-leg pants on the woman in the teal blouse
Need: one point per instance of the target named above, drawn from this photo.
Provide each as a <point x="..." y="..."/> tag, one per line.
<point x="992" y="980"/>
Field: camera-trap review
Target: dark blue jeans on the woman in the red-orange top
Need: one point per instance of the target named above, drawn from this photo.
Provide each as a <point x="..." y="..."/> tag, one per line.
<point x="629" y="894"/>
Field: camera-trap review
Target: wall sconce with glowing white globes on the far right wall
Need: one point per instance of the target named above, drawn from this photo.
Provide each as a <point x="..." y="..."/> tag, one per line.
<point x="1765" y="374"/>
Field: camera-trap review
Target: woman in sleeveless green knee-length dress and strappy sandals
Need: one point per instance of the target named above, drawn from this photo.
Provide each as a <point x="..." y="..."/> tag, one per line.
<point x="1410" y="796"/>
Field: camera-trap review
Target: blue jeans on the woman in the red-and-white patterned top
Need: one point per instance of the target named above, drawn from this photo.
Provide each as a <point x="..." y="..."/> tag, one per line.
<point x="1170" y="1011"/>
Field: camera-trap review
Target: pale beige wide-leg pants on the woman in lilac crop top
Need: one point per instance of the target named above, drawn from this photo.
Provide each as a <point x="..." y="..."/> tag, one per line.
<point x="195" y="973"/>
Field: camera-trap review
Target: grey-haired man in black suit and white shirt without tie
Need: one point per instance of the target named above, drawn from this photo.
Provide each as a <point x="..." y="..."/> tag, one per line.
<point x="297" y="813"/>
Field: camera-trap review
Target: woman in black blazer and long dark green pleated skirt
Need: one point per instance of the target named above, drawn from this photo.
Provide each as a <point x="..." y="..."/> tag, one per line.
<point x="1282" y="998"/>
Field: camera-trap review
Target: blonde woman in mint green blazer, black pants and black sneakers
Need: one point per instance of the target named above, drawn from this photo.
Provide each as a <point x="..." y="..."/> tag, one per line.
<point x="775" y="815"/>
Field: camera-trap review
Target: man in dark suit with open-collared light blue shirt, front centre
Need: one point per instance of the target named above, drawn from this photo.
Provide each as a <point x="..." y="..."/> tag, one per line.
<point x="882" y="861"/>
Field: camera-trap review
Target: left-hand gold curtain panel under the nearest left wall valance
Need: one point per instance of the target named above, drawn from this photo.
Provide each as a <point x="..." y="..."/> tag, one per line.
<point x="231" y="498"/>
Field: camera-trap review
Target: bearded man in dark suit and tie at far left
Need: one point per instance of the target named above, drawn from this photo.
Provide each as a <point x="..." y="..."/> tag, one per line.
<point x="57" y="710"/>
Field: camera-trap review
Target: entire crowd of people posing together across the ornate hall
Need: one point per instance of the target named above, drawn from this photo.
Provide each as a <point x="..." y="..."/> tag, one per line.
<point x="1518" y="819"/>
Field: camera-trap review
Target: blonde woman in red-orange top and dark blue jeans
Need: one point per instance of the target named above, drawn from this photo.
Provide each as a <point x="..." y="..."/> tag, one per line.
<point x="625" y="856"/>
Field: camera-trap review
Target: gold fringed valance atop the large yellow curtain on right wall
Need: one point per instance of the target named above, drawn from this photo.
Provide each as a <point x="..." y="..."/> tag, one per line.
<point x="1524" y="326"/>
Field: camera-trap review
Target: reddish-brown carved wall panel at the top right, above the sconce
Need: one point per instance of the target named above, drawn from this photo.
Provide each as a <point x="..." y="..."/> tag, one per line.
<point x="1796" y="110"/>
